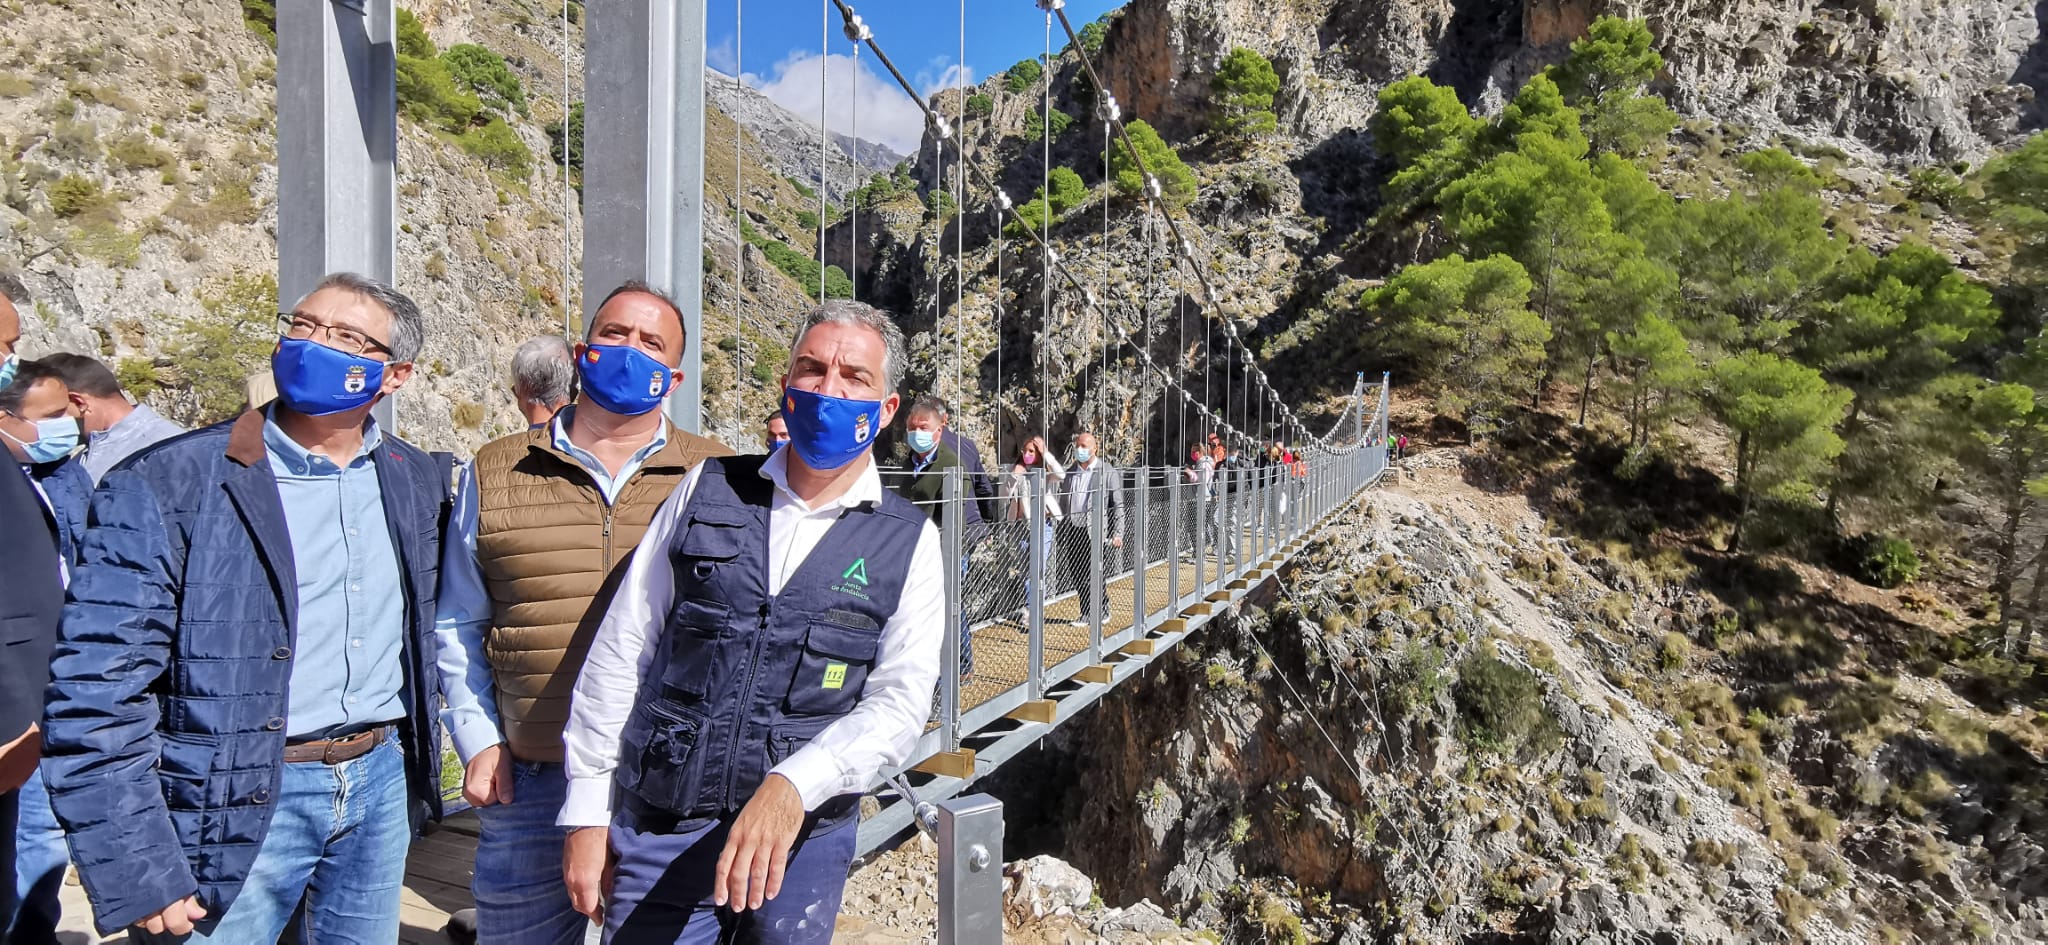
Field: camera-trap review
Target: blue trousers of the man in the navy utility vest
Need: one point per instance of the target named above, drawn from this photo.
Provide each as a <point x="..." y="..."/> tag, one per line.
<point x="663" y="889"/>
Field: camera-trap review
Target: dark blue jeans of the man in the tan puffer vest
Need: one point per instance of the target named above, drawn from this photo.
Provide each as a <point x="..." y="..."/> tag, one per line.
<point x="521" y="897"/>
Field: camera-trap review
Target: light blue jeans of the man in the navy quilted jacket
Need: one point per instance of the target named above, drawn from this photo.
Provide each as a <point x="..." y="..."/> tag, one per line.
<point x="339" y="844"/>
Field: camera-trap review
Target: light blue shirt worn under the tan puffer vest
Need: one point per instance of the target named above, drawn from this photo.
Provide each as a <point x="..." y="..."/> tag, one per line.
<point x="464" y="612"/>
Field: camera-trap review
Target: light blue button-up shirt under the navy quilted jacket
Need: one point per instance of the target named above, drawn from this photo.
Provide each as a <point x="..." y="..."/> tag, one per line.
<point x="347" y="667"/>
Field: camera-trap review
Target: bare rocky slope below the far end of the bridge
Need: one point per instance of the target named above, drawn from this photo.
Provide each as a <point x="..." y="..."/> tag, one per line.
<point x="1314" y="768"/>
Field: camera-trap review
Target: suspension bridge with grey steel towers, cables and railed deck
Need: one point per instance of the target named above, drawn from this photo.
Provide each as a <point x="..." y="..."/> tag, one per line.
<point x="1052" y="624"/>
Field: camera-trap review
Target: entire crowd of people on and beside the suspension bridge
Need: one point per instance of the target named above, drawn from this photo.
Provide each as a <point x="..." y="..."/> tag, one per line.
<point x="667" y="671"/>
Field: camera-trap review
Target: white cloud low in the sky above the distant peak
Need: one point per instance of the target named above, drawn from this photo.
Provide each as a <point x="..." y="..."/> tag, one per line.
<point x="884" y="112"/>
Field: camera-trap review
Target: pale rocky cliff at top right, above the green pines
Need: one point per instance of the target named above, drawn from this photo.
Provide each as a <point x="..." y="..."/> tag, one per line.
<point x="1902" y="81"/>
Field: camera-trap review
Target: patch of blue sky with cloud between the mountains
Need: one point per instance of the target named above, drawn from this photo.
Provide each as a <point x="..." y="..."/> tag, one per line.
<point x="781" y="54"/>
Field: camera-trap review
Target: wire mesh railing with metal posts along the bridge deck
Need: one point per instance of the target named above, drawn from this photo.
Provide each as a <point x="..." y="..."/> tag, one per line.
<point x="1062" y="573"/>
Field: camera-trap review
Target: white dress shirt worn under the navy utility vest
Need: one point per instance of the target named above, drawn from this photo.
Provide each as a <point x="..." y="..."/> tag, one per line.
<point x="847" y="755"/>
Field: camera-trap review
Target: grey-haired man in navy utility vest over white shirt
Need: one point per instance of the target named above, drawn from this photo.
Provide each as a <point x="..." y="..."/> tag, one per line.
<point x="773" y="647"/>
